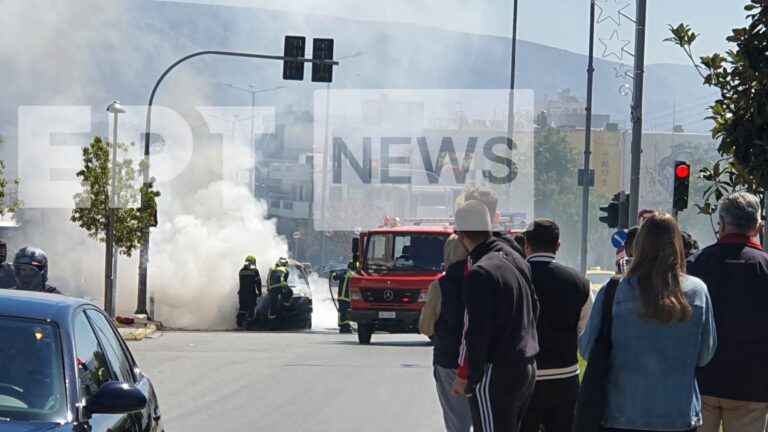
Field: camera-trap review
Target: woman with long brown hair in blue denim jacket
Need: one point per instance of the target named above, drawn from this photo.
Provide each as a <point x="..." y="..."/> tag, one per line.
<point x="663" y="329"/>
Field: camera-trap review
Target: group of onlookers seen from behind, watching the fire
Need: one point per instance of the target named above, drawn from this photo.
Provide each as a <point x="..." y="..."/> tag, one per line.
<point x="684" y="332"/>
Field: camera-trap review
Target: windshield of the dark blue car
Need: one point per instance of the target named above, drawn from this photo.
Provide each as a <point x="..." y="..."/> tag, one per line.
<point x="31" y="372"/>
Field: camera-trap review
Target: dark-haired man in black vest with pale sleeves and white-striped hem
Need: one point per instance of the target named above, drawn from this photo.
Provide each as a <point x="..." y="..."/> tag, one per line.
<point x="565" y="301"/>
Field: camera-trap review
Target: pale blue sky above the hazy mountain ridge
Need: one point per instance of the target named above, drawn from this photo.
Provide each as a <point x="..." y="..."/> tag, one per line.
<point x="557" y="23"/>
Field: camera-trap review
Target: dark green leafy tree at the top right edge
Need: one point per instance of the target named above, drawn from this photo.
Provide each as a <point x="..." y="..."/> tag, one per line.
<point x="741" y="112"/>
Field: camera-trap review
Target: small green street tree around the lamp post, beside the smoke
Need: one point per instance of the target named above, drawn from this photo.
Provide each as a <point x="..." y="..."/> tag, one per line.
<point x="132" y="221"/>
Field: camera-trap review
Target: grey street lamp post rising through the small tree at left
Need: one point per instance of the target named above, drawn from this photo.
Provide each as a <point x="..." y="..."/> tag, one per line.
<point x="110" y="261"/>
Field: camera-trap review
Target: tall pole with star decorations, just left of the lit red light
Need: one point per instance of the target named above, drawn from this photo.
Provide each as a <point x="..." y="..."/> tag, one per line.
<point x="637" y="110"/>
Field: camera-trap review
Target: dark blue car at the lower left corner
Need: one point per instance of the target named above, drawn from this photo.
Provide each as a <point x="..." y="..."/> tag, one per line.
<point x="65" y="367"/>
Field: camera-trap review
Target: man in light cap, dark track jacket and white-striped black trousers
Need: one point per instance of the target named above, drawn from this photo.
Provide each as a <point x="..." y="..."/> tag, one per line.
<point x="497" y="368"/>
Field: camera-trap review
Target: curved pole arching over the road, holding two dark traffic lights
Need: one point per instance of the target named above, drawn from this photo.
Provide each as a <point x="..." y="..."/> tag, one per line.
<point x="141" y="301"/>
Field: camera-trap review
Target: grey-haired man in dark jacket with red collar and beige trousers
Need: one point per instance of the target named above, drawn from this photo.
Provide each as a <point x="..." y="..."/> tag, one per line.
<point x="734" y="384"/>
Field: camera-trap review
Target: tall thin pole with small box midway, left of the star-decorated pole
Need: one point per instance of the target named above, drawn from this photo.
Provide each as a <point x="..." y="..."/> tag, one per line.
<point x="587" y="141"/>
